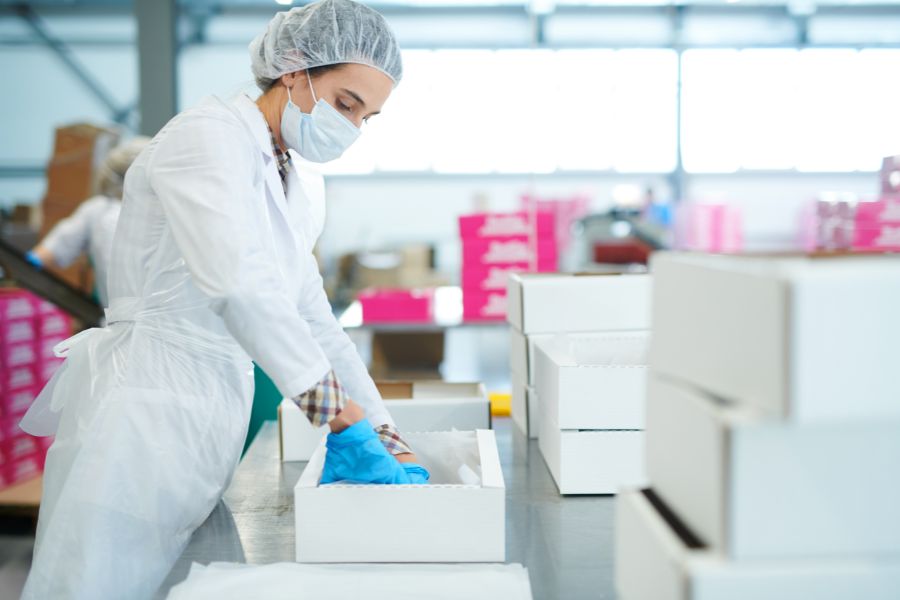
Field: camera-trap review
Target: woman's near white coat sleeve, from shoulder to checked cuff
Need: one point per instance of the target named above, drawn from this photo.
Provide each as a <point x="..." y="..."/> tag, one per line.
<point x="205" y="175"/>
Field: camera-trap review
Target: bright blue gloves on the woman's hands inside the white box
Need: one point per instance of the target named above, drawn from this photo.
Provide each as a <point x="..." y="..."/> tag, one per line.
<point x="356" y="455"/>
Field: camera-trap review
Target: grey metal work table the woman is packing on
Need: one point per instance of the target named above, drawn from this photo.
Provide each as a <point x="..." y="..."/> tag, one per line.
<point x="566" y="543"/>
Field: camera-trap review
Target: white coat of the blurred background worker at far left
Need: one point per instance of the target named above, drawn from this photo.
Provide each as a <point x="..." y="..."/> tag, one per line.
<point x="89" y="229"/>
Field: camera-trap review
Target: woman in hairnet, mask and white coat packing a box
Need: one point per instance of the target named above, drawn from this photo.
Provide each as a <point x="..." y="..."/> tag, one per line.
<point x="212" y="267"/>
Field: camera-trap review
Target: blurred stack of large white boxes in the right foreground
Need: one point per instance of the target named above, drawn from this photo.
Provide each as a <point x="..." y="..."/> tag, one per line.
<point x="773" y="432"/>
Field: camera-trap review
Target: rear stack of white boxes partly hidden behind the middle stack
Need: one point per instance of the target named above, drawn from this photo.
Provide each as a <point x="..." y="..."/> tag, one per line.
<point x="544" y="305"/>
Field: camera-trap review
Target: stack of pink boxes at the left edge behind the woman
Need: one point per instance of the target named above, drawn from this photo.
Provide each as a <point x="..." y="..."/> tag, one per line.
<point x="29" y="328"/>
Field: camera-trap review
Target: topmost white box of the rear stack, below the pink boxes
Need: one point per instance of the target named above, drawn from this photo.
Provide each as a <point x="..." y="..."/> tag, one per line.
<point x="556" y="303"/>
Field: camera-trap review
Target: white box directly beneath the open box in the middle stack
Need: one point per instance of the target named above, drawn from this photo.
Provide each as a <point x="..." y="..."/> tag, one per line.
<point x="591" y="462"/>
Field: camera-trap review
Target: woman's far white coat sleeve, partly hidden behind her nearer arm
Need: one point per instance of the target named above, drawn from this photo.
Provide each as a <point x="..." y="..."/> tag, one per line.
<point x="339" y="348"/>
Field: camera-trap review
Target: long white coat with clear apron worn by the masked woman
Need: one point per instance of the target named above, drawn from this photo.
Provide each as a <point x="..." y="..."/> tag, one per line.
<point x="211" y="266"/>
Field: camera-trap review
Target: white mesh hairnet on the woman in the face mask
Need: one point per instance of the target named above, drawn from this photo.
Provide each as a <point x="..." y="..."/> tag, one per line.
<point x="329" y="32"/>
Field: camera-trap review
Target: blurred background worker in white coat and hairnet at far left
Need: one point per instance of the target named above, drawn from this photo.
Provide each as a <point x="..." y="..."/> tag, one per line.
<point x="91" y="227"/>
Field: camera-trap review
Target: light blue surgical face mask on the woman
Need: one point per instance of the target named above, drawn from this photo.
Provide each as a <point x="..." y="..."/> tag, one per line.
<point x="320" y="136"/>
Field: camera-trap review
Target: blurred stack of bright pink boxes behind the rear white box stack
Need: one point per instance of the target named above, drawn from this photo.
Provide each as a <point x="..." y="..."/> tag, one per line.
<point x="495" y="245"/>
